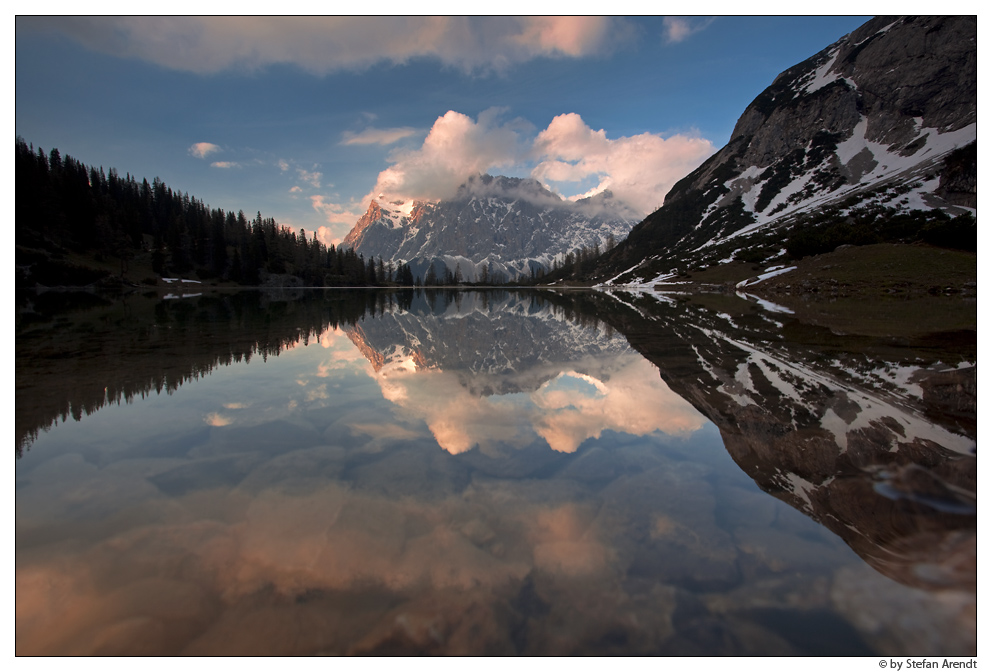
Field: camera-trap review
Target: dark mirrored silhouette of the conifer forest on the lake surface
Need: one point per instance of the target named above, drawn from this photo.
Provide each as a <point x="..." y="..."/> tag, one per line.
<point x="77" y="352"/>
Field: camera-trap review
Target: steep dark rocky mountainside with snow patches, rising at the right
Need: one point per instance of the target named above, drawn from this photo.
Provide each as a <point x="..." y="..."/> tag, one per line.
<point x="870" y="140"/>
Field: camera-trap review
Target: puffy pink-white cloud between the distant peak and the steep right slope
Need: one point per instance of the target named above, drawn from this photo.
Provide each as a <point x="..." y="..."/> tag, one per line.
<point x="638" y="169"/>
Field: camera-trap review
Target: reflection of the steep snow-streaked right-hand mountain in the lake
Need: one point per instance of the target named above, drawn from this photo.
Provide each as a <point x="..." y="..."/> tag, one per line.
<point x="879" y="448"/>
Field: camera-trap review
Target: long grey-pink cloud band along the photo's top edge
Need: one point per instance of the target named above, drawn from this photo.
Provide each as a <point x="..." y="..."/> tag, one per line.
<point x="320" y="45"/>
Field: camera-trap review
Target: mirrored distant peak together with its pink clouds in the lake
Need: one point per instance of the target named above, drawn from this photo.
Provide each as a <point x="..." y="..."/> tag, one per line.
<point x="493" y="368"/>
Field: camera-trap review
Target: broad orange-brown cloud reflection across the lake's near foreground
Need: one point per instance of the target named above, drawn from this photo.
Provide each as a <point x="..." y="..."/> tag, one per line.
<point x="149" y="588"/>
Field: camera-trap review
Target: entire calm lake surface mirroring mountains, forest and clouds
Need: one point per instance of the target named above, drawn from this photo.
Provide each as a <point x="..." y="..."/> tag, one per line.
<point x="361" y="472"/>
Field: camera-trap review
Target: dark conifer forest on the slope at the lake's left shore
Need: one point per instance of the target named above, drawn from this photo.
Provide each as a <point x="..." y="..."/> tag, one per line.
<point x="64" y="206"/>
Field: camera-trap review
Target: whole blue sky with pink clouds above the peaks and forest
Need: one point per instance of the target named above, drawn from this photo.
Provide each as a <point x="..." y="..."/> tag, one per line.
<point x="306" y="120"/>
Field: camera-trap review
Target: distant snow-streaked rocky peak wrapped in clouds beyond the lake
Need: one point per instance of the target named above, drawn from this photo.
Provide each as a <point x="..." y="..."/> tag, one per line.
<point x="492" y="227"/>
